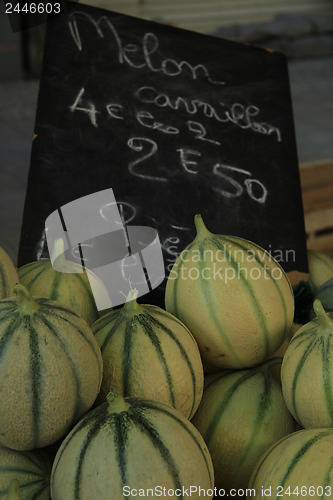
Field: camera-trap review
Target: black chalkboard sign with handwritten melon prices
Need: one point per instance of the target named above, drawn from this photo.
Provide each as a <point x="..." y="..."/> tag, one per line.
<point x="176" y="123"/>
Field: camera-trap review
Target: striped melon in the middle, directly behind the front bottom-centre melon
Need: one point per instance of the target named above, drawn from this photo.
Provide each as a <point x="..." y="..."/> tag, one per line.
<point x="147" y="352"/>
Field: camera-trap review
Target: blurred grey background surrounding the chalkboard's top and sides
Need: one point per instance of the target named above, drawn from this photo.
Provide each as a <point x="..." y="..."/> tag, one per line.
<point x="301" y="29"/>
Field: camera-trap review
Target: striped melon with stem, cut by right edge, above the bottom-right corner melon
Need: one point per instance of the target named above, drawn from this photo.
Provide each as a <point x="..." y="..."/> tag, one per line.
<point x="307" y="371"/>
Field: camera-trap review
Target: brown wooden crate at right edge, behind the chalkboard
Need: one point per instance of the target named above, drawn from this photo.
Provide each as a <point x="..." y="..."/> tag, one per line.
<point x="317" y="192"/>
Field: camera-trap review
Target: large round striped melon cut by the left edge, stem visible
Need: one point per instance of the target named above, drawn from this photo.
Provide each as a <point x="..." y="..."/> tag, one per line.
<point x="50" y="370"/>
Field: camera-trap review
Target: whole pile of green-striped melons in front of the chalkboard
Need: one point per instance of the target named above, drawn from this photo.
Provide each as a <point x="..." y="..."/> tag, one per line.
<point x="218" y="394"/>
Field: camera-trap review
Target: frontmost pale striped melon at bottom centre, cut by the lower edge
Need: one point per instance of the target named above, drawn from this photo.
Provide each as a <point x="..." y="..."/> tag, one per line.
<point x="131" y="445"/>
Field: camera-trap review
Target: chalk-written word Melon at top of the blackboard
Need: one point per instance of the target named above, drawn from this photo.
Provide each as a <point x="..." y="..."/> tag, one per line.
<point x="146" y="55"/>
